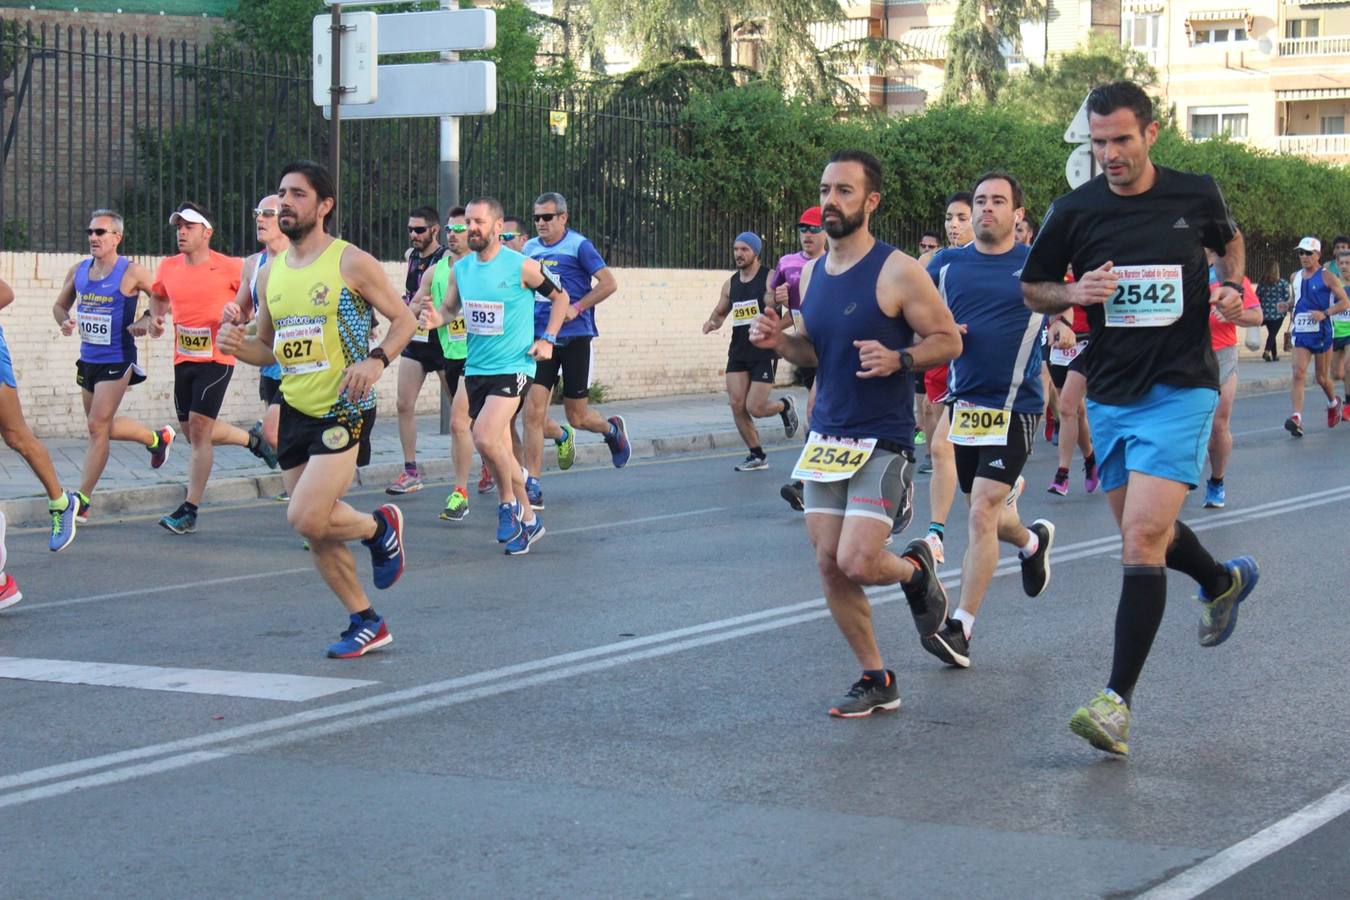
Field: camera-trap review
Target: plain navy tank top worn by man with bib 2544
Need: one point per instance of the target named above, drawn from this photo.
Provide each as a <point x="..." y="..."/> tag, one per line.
<point x="838" y="311"/>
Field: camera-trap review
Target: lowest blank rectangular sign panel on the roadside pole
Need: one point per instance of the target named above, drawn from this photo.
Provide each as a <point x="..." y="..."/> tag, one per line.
<point x="431" y="90"/>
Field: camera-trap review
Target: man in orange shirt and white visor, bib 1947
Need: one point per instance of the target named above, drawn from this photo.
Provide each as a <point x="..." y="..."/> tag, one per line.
<point x="194" y="288"/>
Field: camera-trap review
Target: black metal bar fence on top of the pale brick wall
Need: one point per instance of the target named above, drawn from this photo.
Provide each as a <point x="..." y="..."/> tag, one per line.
<point x="98" y="119"/>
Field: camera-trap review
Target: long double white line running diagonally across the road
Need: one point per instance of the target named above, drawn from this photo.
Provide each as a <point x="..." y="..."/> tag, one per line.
<point x="68" y="778"/>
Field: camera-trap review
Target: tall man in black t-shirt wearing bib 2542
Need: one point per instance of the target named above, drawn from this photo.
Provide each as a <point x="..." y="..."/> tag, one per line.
<point x="1136" y="238"/>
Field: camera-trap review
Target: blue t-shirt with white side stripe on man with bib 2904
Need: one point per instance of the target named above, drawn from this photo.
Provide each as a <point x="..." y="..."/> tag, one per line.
<point x="1001" y="360"/>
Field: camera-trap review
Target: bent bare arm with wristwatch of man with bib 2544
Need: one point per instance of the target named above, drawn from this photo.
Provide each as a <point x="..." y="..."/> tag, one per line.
<point x="907" y="289"/>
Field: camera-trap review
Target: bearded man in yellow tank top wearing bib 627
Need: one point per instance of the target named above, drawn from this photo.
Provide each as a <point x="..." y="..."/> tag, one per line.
<point x="317" y="327"/>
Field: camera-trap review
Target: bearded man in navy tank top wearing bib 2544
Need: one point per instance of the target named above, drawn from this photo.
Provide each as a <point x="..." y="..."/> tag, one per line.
<point x="862" y="306"/>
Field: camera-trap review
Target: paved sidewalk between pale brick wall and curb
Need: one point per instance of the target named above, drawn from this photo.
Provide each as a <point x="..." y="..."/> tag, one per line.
<point x="659" y="427"/>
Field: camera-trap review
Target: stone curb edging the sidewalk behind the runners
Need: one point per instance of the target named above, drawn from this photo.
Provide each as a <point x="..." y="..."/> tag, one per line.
<point x="165" y="497"/>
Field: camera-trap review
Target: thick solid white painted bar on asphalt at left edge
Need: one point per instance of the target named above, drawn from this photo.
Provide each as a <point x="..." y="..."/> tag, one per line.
<point x="259" y="686"/>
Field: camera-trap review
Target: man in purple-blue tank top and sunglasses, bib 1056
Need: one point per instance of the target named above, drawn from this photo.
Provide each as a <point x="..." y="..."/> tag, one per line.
<point x="99" y="303"/>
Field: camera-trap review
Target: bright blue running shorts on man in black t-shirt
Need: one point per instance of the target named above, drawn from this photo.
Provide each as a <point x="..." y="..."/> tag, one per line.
<point x="1164" y="434"/>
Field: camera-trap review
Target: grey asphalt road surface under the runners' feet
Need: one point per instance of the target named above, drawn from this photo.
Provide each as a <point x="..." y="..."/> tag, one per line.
<point x="639" y="708"/>
